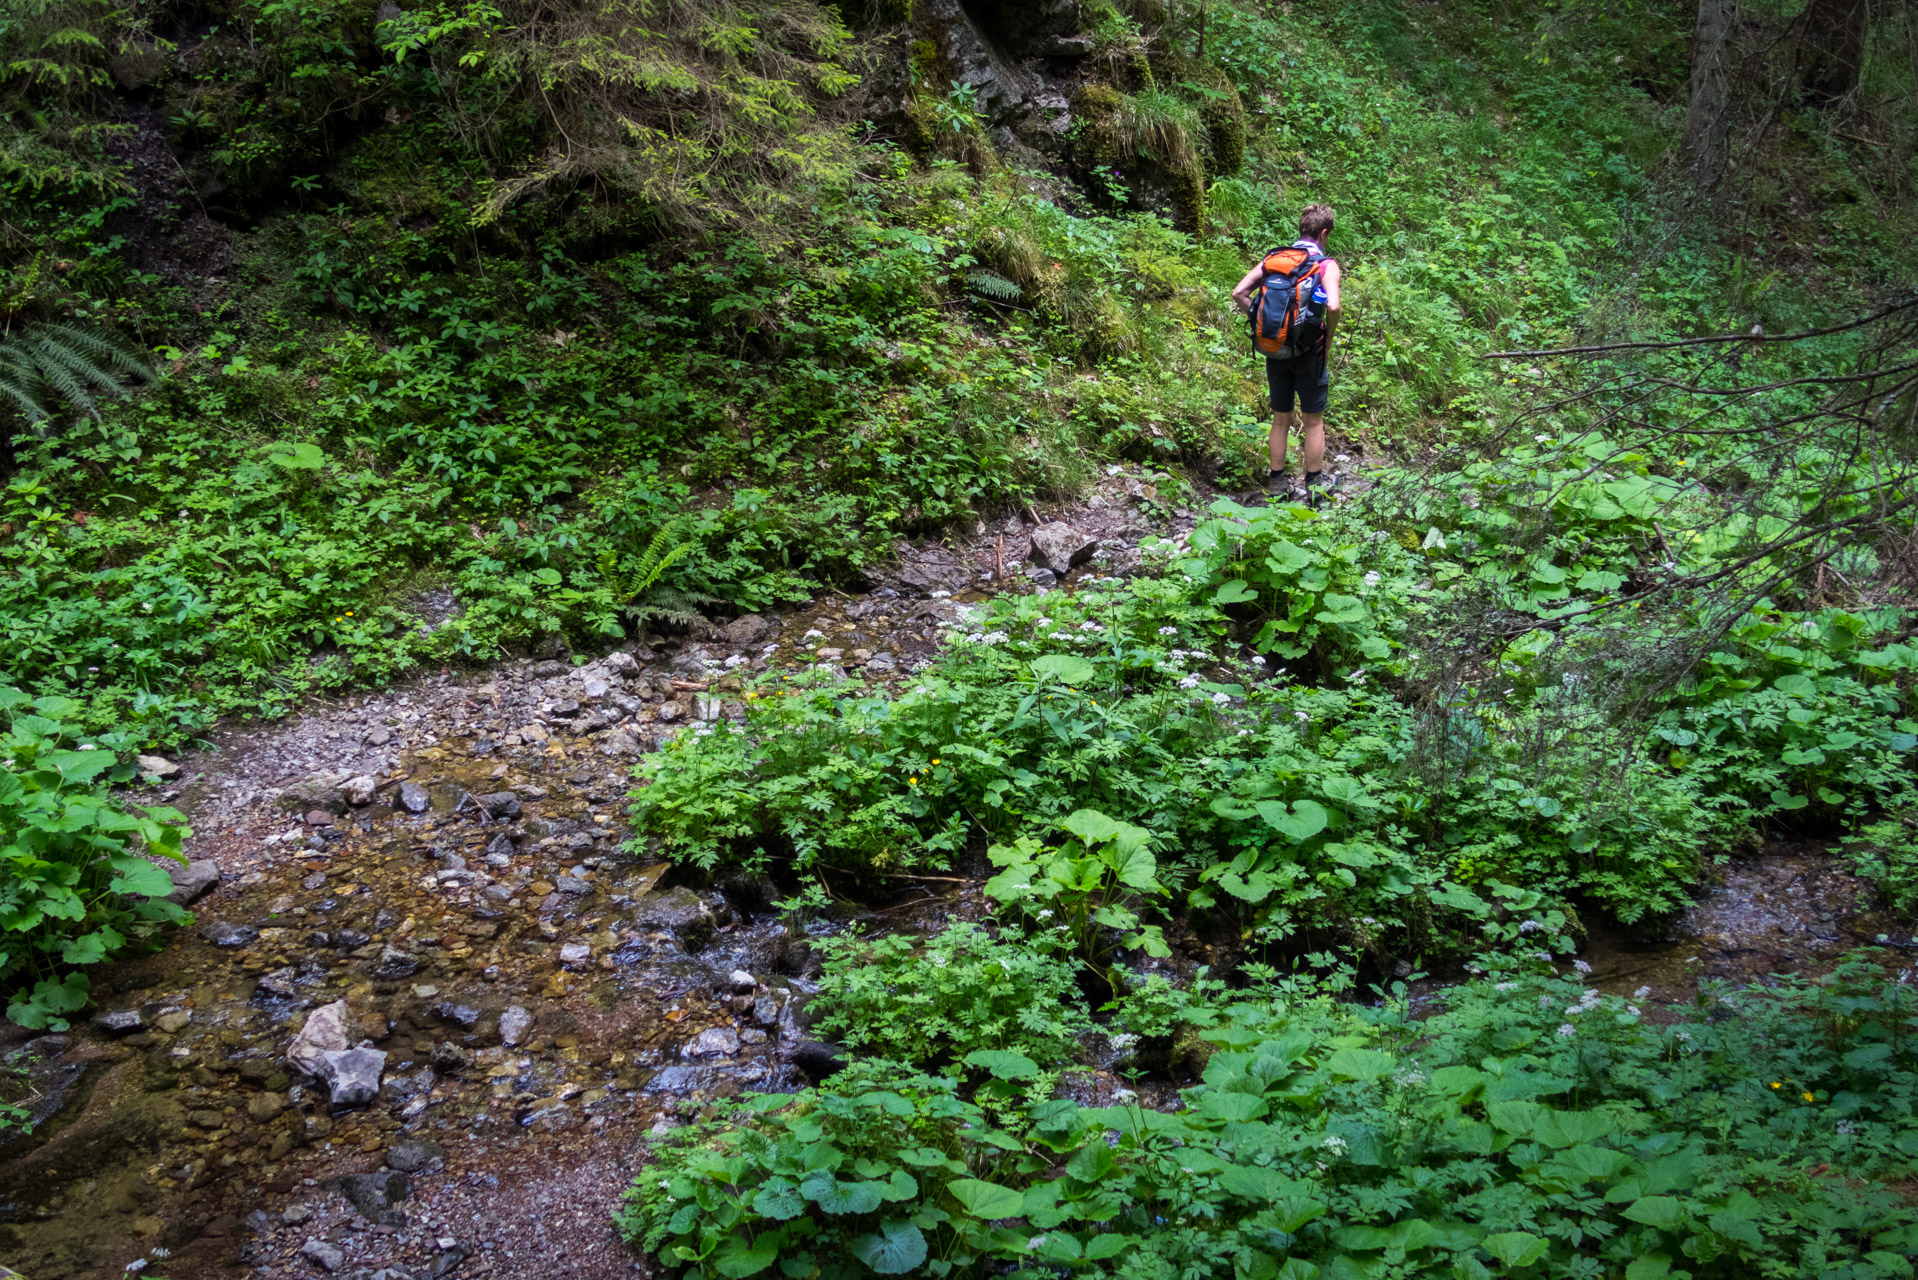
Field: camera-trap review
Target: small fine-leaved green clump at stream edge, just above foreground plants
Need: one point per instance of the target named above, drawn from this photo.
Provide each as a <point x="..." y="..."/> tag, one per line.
<point x="935" y="1001"/>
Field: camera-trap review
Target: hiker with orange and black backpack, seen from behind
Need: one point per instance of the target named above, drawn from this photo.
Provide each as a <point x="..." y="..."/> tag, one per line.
<point x="1292" y="298"/>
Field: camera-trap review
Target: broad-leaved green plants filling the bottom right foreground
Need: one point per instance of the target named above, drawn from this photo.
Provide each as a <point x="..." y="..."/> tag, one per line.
<point x="1532" y="1127"/>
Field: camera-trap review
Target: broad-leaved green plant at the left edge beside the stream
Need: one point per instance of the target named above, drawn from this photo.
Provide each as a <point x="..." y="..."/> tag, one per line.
<point x="76" y="876"/>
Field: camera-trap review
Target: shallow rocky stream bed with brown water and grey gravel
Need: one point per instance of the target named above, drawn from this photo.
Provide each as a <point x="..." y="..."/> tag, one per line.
<point x="431" y="1012"/>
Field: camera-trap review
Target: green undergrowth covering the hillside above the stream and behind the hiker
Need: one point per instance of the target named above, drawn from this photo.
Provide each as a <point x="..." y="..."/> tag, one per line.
<point x="433" y="375"/>
